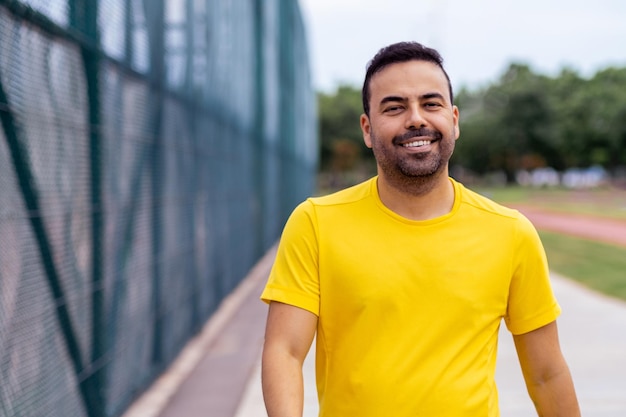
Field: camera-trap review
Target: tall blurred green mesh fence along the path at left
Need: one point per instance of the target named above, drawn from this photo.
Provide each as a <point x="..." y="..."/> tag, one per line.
<point x="150" y="152"/>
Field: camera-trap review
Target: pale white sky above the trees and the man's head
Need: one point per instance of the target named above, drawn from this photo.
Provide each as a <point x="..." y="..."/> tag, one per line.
<point x="477" y="38"/>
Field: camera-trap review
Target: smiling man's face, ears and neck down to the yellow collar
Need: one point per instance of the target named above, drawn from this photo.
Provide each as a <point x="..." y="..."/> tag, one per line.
<point x="411" y="126"/>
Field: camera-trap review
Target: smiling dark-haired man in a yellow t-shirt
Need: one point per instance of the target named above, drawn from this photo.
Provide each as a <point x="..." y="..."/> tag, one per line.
<point x="405" y="278"/>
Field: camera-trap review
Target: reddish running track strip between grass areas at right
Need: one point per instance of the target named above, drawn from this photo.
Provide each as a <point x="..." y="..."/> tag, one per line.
<point x="594" y="228"/>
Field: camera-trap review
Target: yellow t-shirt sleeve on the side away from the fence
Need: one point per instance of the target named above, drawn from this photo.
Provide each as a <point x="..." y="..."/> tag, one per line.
<point x="532" y="303"/>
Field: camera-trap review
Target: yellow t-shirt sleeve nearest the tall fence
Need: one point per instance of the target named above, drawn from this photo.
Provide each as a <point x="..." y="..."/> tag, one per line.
<point x="294" y="277"/>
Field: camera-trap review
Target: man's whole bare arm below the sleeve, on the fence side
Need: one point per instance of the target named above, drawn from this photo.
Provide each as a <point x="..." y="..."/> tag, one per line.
<point x="288" y="336"/>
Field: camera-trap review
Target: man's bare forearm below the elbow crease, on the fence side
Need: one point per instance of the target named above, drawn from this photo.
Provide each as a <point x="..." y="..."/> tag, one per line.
<point x="282" y="382"/>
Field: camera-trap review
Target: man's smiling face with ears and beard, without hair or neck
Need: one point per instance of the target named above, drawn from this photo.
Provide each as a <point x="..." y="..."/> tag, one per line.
<point x="412" y="126"/>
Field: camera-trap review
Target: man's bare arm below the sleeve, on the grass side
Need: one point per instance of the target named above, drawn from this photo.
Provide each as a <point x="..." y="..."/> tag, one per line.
<point x="547" y="376"/>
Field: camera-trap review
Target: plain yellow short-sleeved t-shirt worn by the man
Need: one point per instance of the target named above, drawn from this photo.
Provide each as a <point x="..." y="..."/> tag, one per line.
<point x="409" y="311"/>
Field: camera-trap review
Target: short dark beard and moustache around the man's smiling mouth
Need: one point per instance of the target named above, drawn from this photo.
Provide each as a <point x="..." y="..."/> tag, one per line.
<point x="414" y="173"/>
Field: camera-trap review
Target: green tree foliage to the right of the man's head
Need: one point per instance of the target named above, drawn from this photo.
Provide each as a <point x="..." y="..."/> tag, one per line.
<point x="526" y="120"/>
